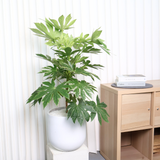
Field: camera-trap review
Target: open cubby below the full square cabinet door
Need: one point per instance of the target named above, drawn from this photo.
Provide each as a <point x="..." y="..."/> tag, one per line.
<point x="141" y="141"/>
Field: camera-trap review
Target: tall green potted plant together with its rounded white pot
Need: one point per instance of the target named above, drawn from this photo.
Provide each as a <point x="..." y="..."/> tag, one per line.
<point x="63" y="70"/>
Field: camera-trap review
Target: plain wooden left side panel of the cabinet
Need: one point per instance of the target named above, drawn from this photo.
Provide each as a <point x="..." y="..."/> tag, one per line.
<point x="108" y="146"/>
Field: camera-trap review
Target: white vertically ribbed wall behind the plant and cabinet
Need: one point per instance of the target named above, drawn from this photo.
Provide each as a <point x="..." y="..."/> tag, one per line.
<point x="131" y="29"/>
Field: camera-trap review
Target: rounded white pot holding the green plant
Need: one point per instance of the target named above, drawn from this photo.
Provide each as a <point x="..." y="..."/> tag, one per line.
<point x="62" y="133"/>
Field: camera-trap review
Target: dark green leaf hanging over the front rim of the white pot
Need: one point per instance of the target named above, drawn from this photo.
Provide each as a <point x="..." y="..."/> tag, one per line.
<point x="79" y="111"/>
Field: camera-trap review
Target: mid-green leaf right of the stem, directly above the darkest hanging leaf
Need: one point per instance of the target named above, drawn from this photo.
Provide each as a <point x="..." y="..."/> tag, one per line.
<point x="81" y="88"/>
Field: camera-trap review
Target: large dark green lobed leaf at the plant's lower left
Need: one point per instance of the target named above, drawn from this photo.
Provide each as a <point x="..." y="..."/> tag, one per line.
<point x="49" y="91"/>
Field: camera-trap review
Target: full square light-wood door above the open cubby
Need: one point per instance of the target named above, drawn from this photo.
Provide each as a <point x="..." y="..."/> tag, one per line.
<point x="135" y="110"/>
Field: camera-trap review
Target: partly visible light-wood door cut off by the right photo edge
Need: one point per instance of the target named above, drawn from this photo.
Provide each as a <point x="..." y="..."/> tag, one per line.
<point x="157" y="108"/>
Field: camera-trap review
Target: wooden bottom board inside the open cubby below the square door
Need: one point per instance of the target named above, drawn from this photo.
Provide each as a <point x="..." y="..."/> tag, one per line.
<point x="130" y="153"/>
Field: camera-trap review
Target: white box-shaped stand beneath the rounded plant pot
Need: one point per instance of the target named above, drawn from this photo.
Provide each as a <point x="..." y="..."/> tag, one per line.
<point x="79" y="154"/>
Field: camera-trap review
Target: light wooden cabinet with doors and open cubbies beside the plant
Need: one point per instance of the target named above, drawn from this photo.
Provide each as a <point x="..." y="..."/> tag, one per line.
<point x="134" y="123"/>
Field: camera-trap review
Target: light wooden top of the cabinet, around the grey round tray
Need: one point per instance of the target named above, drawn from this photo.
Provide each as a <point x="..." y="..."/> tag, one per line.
<point x="155" y="83"/>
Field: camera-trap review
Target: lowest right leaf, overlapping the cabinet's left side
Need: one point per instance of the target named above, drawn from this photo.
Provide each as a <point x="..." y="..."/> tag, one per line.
<point x="100" y="110"/>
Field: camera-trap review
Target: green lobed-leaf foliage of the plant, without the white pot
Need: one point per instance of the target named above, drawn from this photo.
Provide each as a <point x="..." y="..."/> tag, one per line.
<point x="70" y="62"/>
